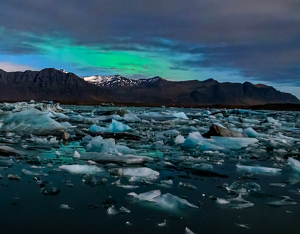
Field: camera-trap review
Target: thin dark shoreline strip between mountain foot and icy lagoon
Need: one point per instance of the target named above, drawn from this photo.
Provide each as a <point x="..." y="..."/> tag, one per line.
<point x="272" y="106"/>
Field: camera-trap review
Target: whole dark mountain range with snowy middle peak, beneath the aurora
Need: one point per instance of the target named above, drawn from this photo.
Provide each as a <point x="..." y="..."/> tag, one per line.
<point x="61" y="86"/>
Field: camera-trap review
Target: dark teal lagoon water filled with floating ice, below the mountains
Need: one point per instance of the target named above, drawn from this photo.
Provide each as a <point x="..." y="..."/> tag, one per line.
<point x="159" y="174"/>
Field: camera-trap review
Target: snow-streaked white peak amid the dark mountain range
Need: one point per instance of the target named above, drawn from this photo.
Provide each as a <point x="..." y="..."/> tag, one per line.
<point x="119" y="81"/>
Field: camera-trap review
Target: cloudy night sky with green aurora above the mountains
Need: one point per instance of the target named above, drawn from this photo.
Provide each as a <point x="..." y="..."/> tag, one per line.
<point x="228" y="40"/>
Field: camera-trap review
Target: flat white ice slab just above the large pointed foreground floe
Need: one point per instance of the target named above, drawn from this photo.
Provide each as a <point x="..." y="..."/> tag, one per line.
<point x="137" y="172"/>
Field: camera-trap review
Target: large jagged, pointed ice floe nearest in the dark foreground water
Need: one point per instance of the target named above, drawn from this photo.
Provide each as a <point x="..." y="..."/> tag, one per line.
<point x="164" y="201"/>
